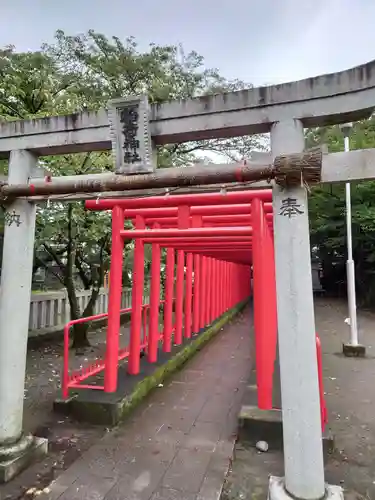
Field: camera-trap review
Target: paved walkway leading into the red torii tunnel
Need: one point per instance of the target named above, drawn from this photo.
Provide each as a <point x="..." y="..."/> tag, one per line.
<point x="180" y="444"/>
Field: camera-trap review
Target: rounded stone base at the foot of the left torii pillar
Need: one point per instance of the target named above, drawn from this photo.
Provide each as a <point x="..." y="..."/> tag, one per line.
<point x="17" y="457"/>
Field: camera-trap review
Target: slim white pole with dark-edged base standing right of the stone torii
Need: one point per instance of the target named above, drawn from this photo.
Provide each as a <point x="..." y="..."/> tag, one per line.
<point x="353" y="348"/>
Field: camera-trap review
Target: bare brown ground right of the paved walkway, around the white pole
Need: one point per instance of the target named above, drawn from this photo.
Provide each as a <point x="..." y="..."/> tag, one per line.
<point x="350" y="394"/>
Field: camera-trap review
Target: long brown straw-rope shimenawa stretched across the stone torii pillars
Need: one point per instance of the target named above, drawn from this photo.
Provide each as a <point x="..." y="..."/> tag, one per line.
<point x="286" y="170"/>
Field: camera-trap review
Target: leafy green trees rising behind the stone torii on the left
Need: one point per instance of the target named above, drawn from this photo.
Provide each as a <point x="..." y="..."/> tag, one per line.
<point x="83" y="72"/>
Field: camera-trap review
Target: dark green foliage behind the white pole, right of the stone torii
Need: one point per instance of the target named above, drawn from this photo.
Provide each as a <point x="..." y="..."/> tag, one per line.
<point x="328" y="223"/>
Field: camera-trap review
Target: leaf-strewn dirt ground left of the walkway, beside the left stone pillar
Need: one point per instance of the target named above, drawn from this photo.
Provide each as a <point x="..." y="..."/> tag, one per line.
<point x="67" y="439"/>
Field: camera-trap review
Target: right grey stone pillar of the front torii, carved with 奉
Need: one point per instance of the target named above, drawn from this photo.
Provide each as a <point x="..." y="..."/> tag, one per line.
<point x="303" y="450"/>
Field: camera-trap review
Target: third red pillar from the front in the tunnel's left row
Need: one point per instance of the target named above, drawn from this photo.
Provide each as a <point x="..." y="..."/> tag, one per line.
<point x="153" y="339"/>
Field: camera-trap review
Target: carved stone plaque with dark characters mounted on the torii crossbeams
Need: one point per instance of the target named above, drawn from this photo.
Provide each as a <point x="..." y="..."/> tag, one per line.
<point x="130" y="135"/>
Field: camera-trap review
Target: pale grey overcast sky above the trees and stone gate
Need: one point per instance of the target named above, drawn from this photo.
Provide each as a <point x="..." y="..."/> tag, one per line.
<point x="258" y="41"/>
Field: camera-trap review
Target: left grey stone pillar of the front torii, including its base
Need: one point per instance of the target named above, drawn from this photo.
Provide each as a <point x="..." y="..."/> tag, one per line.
<point x="16" y="449"/>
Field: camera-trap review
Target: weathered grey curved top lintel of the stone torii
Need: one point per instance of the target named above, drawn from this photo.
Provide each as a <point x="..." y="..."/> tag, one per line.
<point x="324" y="100"/>
